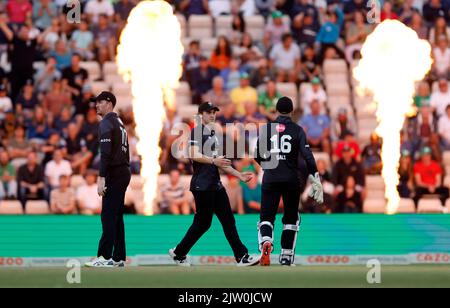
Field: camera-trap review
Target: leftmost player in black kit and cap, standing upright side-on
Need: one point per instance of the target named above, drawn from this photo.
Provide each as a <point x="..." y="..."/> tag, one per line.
<point x="113" y="181"/>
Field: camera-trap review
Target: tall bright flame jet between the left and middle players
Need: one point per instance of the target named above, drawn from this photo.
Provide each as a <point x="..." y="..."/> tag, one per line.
<point x="149" y="55"/>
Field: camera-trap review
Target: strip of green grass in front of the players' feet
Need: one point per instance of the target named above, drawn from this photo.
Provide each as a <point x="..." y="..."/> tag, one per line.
<point x="230" y="277"/>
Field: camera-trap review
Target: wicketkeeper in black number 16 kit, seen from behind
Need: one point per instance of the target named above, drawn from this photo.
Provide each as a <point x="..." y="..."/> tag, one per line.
<point x="280" y="145"/>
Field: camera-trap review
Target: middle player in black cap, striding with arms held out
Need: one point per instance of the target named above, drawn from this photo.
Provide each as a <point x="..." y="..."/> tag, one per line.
<point x="209" y="193"/>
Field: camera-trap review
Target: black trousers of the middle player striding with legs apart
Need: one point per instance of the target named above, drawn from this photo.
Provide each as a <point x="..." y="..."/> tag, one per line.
<point x="207" y="203"/>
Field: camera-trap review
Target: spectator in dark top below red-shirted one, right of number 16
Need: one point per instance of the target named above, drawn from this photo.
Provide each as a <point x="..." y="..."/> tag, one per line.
<point x="345" y="167"/>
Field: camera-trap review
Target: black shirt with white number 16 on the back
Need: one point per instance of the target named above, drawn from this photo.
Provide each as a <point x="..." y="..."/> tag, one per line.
<point x="284" y="143"/>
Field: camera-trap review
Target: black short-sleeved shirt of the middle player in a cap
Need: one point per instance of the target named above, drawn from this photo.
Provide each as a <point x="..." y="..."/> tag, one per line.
<point x="206" y="176"/>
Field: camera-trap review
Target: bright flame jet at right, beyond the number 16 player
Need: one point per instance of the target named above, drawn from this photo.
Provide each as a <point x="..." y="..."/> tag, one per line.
<point x="393" y="59"/>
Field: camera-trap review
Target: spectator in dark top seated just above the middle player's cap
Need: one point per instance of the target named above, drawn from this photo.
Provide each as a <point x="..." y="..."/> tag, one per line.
<point x="200" y="80"/>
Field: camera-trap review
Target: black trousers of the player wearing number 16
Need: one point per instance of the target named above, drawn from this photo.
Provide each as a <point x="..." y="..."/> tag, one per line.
<point x="271" y="196"/>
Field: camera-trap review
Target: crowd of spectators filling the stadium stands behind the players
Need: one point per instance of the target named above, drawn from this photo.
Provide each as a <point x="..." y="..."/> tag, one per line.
<point x="48" y="127"/>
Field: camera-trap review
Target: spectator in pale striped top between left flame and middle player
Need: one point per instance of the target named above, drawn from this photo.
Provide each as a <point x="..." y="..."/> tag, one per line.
<point x="174" y="196"/>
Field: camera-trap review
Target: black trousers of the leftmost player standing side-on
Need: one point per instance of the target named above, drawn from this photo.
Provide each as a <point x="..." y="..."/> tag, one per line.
<point x="112" y="242"/>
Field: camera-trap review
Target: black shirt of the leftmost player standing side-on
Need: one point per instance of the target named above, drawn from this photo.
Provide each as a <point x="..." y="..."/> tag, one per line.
<point x="114" y="150"/>
